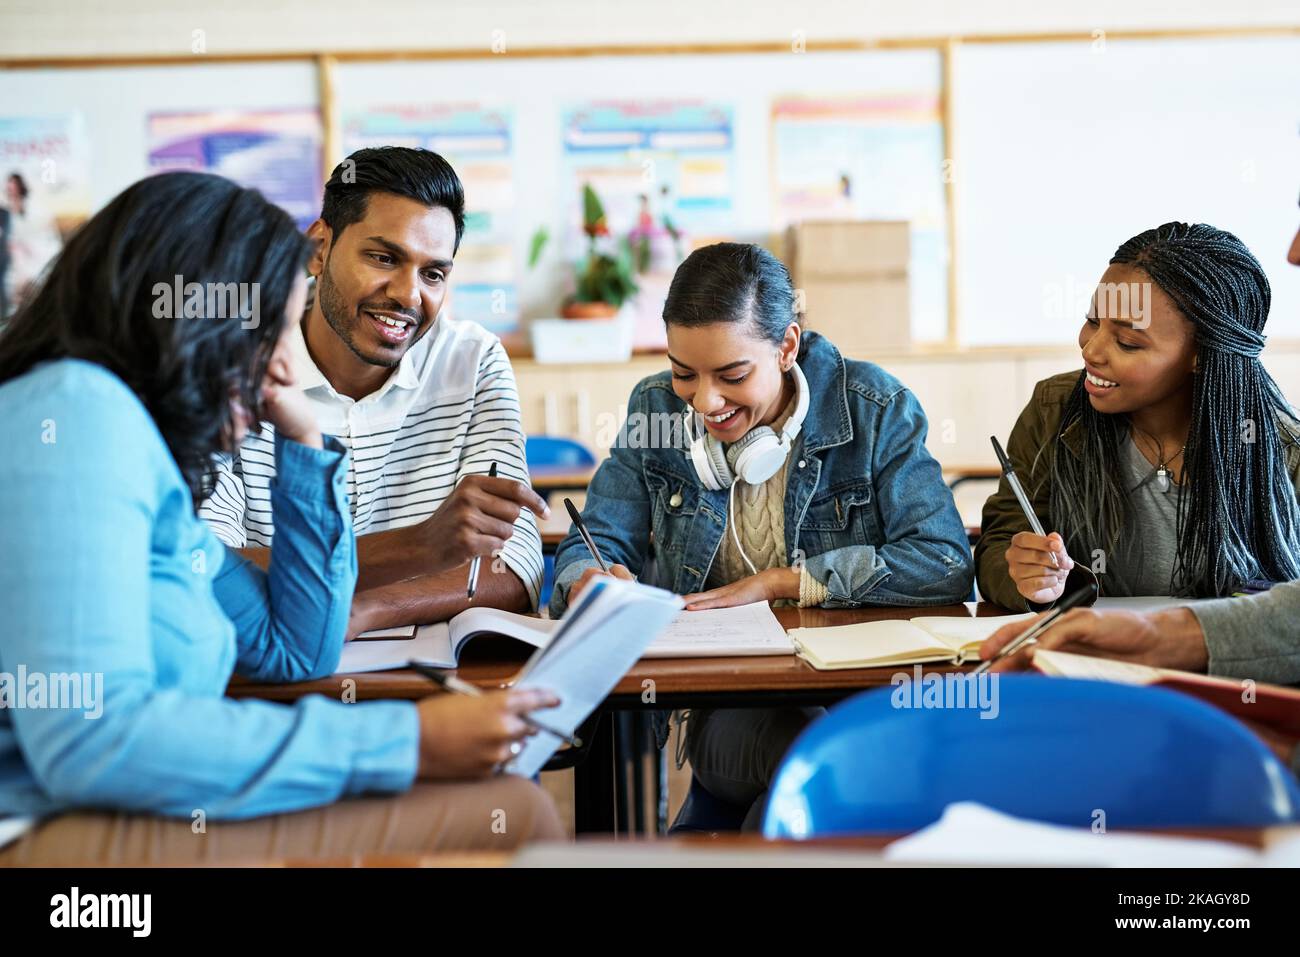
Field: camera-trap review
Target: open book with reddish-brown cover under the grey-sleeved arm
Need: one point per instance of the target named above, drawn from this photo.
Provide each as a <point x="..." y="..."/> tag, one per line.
<point x="1266" y="704"/>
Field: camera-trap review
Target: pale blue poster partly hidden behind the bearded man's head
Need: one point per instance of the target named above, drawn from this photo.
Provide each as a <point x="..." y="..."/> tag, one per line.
<point x="478" y="142"/>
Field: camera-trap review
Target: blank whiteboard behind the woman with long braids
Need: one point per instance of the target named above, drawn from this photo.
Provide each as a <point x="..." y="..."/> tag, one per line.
<point x="1067" y="151"/>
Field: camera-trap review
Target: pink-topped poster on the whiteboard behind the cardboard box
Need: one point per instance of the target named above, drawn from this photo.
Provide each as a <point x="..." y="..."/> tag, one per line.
<point x="874" y="158"/>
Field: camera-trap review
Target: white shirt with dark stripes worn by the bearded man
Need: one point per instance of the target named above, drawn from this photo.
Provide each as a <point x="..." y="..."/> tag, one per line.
<point x="449" y="410"/>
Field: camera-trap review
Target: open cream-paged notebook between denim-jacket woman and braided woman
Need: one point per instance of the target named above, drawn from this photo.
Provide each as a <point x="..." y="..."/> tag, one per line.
<point x="895" y="642"/>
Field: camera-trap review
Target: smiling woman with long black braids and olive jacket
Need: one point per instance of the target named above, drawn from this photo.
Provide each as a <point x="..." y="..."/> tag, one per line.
<point x="1171" y="464"/>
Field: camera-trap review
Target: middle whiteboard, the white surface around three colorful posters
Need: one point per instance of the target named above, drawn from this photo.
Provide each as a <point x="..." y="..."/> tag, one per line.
<point x="538" y="92"/>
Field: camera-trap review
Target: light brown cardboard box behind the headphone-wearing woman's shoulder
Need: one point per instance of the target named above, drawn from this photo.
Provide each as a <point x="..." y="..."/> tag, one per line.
<point x="855" y="284"/>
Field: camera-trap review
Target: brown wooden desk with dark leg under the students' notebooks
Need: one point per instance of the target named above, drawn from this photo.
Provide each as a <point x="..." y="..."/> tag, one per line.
<point x="600" y="790"/>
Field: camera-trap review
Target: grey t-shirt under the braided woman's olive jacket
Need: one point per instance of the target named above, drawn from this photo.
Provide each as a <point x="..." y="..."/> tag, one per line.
<point x="1149" y="551"/>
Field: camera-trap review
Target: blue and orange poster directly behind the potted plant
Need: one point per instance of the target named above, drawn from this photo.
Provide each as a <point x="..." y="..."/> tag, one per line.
<point x="665" y="174"/>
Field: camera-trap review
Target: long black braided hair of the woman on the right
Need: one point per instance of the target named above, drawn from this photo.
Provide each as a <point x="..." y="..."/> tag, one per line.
<point x="1238" y="519"/>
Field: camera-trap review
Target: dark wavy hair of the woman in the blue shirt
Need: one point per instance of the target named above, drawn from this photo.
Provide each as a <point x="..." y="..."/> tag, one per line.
<point x="98" y="304"/>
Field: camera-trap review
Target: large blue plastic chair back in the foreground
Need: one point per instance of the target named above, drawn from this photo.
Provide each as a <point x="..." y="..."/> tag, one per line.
<point x="1059" y="751"/>
